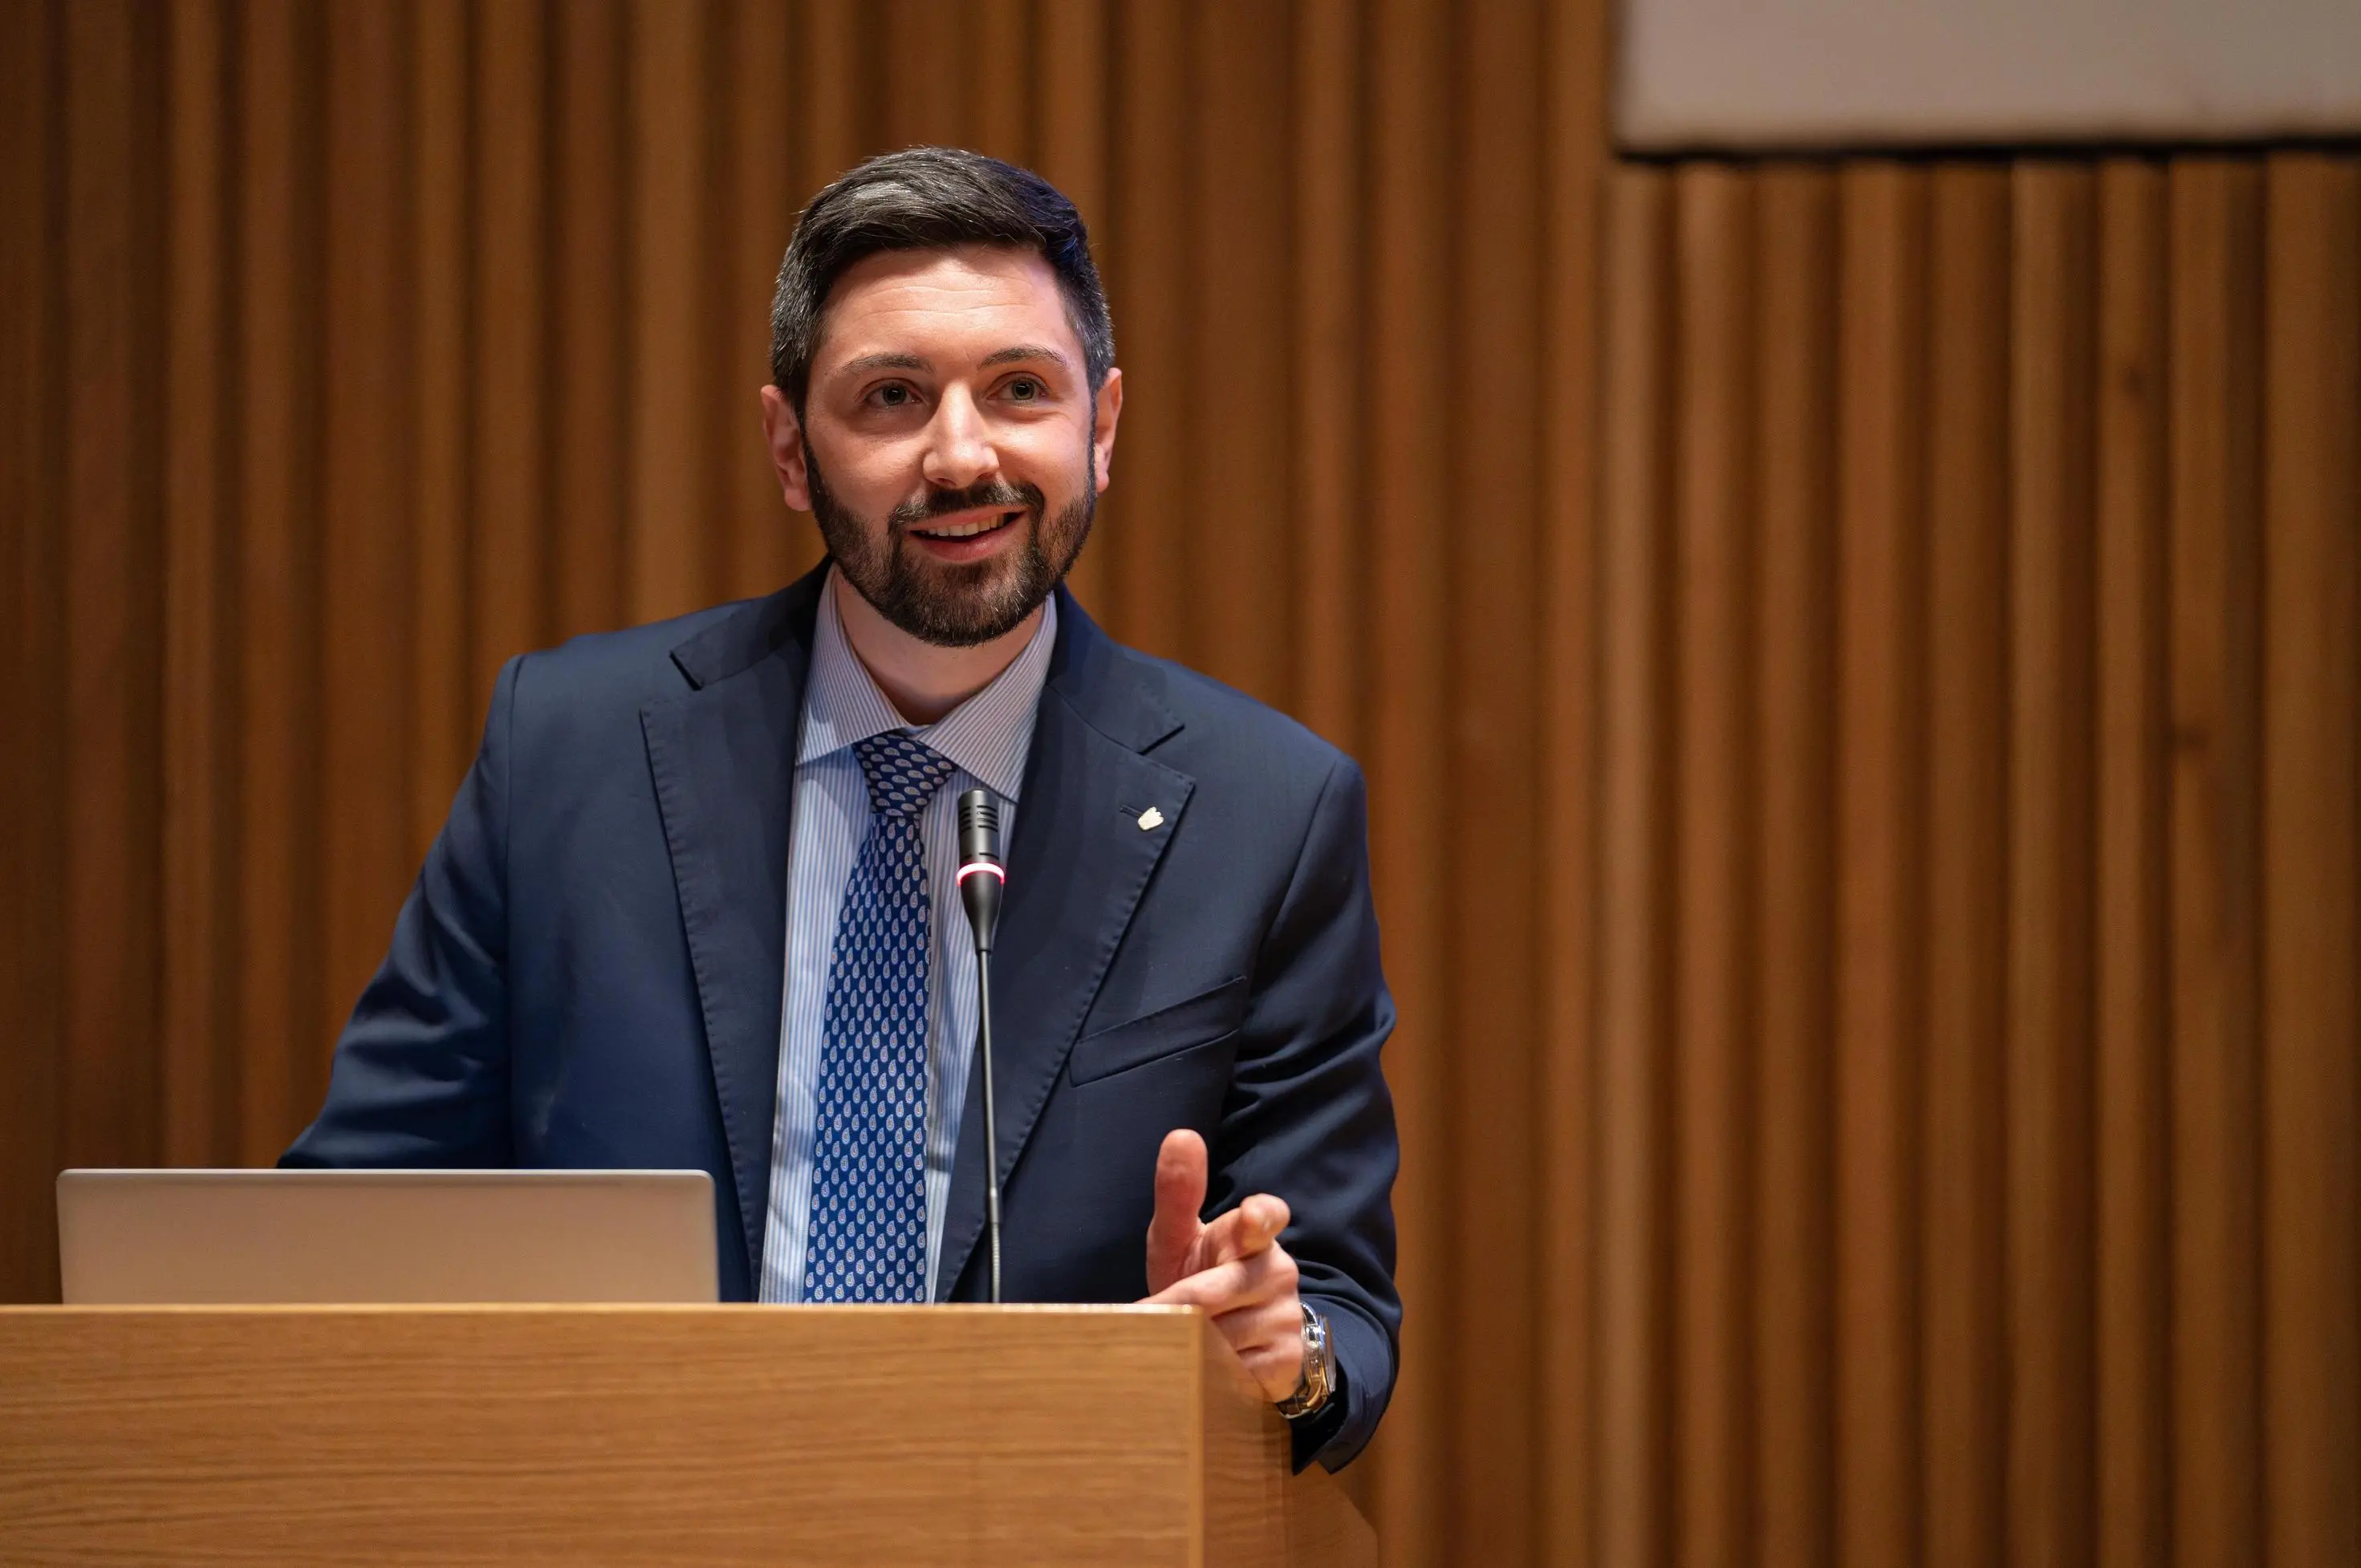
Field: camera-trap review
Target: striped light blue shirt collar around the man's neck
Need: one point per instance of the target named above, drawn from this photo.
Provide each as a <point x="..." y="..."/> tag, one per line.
<point x="986" y="736"/>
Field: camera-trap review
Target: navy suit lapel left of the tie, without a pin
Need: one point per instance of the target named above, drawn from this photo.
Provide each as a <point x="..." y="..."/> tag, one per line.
<point x="724" y="762"/>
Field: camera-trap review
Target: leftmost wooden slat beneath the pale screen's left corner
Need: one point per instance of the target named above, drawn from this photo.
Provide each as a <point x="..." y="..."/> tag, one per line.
<point x="1635" y="851"/>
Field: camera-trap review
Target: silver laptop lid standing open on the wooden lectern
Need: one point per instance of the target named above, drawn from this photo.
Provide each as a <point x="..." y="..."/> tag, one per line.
<point x="185" y="1239"/>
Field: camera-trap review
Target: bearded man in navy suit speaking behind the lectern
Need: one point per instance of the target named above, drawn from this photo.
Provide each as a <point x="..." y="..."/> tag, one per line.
<point x="695" y="903"/>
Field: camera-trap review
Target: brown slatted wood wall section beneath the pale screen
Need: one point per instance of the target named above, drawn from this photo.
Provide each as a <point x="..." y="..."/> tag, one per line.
<point x="1980" y="1059"/>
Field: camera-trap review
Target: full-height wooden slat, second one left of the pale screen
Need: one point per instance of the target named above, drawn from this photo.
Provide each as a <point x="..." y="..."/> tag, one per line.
<point x="1493" y="757"/>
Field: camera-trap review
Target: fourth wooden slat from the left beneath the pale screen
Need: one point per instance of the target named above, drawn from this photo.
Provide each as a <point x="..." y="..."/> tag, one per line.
<point x="1883" y="313"/>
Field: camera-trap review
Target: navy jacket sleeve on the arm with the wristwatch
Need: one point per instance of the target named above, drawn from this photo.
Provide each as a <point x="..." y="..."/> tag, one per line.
<point x="1309" y="1116"/>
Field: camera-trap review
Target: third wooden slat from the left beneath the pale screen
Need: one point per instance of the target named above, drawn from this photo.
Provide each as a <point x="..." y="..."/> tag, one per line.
<point x="1796" y="672"/>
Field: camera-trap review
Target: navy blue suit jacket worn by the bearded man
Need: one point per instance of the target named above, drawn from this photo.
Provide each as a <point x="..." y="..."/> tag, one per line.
<point x="589" y="969"/>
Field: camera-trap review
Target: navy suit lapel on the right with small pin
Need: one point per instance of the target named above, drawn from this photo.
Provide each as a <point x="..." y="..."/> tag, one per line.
<point x="1075" y="875"/>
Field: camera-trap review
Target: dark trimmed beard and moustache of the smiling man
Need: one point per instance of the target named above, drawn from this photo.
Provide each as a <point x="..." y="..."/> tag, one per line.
<point x="957" y="606"/>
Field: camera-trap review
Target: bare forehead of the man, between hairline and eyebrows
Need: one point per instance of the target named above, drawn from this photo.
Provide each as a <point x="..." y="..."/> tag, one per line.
<point x="943" y="306"/>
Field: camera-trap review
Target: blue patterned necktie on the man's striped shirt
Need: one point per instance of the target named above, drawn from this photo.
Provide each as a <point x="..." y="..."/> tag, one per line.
<point x="868" y="1239"/>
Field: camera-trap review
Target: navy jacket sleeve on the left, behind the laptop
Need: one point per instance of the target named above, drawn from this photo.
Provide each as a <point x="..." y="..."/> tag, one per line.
<point x="421" y="1071"/>
